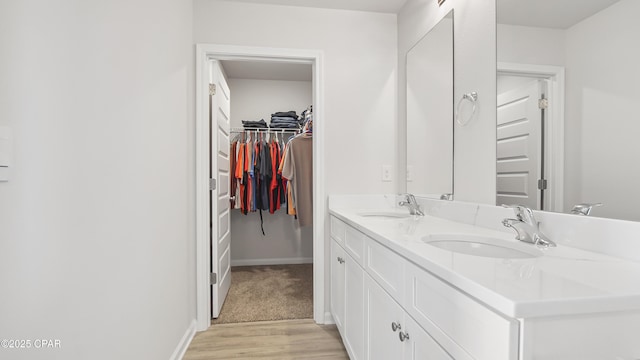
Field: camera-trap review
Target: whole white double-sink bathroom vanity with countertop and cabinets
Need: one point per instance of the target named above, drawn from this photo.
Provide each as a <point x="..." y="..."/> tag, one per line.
<point x="437" y="287"/>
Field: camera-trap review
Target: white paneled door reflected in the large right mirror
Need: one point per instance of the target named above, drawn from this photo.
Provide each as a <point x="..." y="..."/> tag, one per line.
<point x="520" y="178"/>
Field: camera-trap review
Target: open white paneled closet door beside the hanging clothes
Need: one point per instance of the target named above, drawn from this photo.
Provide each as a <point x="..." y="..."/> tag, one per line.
<point x="219" y="124"/>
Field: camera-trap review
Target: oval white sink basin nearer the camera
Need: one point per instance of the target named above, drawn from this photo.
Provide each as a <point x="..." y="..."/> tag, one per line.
<point x="483" y="246"/>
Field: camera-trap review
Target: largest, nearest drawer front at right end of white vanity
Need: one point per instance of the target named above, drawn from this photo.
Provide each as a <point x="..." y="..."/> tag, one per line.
<point x="447" y="314"/>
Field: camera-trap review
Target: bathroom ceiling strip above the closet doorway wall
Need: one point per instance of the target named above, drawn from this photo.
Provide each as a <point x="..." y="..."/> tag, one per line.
<point x="382" y="6"/>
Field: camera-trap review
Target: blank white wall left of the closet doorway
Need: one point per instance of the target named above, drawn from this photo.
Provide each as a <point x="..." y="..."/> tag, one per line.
<point x="97" y="222"/>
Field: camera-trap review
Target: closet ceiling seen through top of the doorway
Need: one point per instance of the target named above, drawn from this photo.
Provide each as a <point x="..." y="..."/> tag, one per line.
<point x="261" y="70"/>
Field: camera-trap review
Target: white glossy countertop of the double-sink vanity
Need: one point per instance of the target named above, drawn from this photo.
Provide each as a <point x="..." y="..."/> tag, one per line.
<point x="563" y="281"/>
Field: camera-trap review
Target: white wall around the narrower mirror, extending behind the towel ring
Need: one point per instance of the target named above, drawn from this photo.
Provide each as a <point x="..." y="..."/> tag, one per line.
<point x="474" y="70"/>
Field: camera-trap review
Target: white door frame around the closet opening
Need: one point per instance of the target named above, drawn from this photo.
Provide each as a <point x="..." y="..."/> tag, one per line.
<point x="205" y="53"/>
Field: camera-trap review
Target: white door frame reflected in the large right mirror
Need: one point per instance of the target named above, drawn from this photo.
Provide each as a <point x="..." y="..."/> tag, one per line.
<point x="554" y="144"/>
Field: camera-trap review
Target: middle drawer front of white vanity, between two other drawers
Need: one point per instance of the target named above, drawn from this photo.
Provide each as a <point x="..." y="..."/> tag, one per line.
<point x="387" y="268"/>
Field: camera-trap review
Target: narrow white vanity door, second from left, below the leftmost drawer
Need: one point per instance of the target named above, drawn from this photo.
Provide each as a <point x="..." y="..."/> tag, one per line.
<point x="354" y="309"/>
